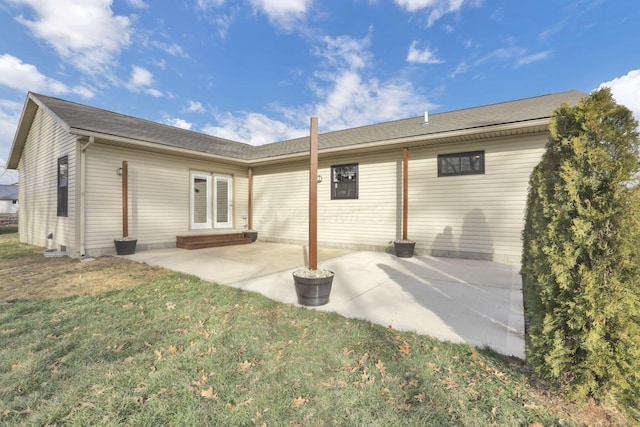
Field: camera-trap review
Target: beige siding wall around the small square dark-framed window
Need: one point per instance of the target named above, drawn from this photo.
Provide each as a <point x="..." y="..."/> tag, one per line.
<point x="281" y="203"/>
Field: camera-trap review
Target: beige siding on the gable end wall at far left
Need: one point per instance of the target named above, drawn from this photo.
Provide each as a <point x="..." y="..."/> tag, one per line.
<point x="46" y="142"/>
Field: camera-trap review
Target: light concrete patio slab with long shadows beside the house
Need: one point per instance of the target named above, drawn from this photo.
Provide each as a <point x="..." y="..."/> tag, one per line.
<point x="478" y="302"/>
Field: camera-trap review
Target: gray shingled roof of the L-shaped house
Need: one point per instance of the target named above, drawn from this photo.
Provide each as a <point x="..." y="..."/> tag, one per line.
<point x="82" y="117"/>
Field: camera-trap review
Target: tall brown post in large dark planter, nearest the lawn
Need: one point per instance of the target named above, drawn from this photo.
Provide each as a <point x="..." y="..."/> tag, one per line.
<point x="313" y="285"/>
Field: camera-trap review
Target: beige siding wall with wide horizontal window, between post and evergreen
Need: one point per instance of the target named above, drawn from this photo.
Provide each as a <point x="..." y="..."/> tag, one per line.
<point x="473" y="216"/>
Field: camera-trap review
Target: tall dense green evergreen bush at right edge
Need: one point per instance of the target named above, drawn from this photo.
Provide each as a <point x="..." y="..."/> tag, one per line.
<point x="581" y="258"/>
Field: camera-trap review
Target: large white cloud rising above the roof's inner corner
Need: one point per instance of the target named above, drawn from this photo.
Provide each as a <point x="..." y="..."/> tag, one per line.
<point x="347" y="97"/>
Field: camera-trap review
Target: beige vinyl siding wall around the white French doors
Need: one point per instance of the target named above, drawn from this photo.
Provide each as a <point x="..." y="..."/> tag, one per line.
<point x="158" y="196"/>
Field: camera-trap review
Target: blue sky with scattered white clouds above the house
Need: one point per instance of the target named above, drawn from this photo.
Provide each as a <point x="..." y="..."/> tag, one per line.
<point x="256" y="70"/>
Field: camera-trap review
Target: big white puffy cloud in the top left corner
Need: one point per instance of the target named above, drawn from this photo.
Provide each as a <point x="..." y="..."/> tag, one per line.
<point x="84" y="33"/>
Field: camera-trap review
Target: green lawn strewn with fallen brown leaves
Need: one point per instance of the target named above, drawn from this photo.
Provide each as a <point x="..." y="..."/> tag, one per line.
<point x="180" y="351"/>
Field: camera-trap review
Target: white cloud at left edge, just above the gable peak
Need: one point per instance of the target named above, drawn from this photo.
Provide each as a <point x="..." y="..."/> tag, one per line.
<point x="25" y="77"/>
